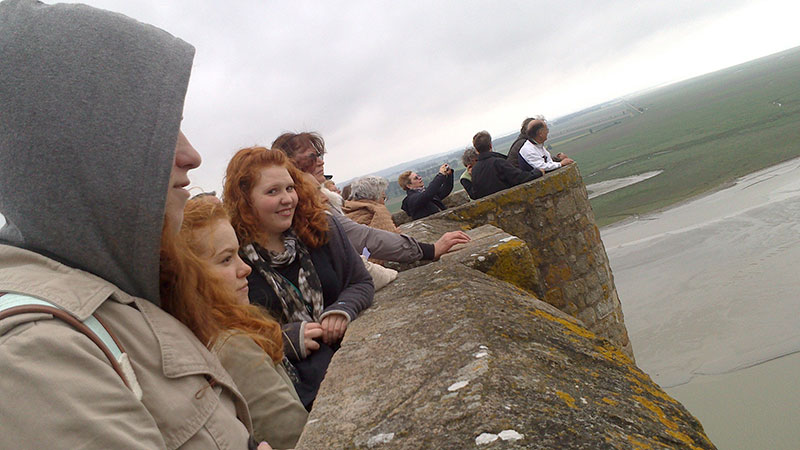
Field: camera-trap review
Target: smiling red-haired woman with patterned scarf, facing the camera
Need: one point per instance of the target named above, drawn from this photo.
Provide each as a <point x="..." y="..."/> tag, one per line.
<point x="304" y="270"/>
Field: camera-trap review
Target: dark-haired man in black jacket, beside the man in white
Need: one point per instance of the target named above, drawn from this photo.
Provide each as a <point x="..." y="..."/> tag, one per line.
<point x="493" y="173"/>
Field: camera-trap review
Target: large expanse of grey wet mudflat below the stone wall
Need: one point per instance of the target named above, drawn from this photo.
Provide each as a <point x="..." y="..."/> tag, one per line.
<point x="711" y="287"/>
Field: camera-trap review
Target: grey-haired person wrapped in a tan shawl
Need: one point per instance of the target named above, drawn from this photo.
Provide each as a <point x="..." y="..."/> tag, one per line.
<point x="366" y="205"/>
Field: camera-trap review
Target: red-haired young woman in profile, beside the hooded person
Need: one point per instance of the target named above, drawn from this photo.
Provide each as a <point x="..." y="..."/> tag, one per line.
<point x="250" y="346"/>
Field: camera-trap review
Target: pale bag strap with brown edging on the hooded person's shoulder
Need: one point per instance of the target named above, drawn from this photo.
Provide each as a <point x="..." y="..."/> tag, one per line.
<point x="14" y="304"/>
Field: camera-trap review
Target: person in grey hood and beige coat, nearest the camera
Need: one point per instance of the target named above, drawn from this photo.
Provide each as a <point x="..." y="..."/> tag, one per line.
<point x="92" y="167"/>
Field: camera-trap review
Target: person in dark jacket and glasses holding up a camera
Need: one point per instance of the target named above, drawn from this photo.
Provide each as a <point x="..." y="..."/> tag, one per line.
<point x="420" y="201"/>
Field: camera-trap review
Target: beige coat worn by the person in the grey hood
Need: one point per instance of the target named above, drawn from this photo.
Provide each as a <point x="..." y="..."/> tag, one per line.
<point x="59" y="390"/>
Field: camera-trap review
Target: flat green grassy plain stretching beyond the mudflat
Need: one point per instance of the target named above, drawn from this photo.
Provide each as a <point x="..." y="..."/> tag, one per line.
<point x="703" y="132"/>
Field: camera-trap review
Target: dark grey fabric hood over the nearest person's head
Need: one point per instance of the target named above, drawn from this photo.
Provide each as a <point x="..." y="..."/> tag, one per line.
<point x="90" y="109"/>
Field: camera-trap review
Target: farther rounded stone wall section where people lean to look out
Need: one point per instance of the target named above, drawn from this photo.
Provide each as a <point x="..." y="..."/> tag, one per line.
<point x="553" y="216"/>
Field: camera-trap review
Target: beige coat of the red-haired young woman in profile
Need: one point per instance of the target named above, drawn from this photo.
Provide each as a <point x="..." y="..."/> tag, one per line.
<point x="278" y="415"/>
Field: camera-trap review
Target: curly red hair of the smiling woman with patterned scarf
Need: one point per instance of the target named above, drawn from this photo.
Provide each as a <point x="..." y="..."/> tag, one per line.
<point x="310" y="221"/>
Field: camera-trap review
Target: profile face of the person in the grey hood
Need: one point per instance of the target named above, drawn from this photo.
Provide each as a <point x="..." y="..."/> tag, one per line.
<point x="186" y="158"/>
